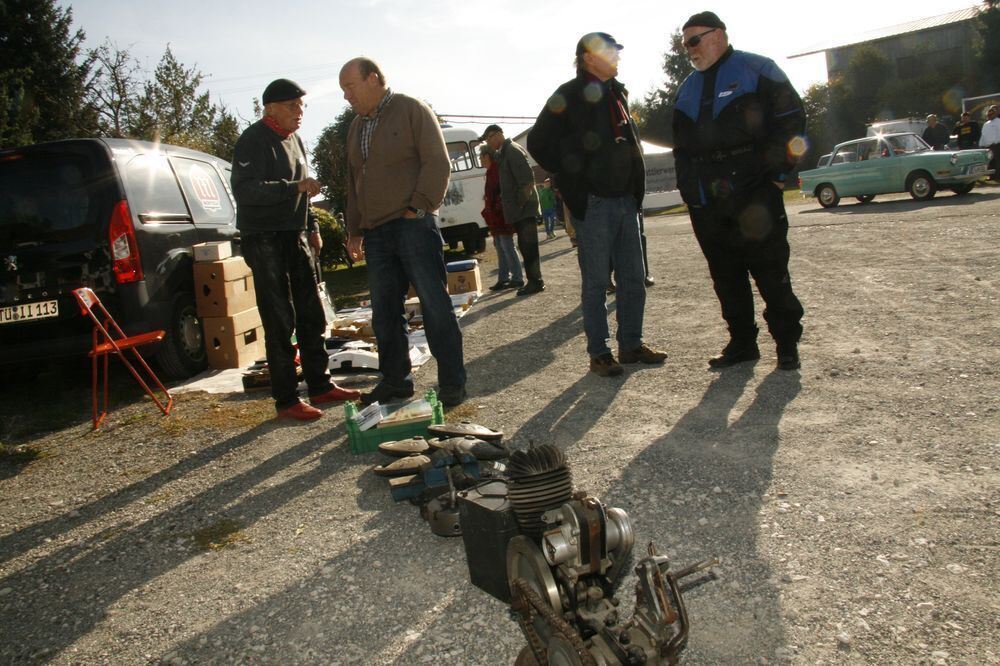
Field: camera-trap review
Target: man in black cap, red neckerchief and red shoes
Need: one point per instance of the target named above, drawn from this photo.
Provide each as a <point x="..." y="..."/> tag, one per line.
<point x="272" y="187"/>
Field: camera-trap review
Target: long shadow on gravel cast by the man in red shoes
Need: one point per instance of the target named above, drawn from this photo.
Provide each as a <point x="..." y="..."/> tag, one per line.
<point x="59" y="598"/>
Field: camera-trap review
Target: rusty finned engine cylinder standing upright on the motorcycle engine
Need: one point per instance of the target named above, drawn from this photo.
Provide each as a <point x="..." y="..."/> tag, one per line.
<point x="539" y="481"/>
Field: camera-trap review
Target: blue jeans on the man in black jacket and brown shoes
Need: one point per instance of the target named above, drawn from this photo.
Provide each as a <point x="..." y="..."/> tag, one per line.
<point x="608" y="236"/>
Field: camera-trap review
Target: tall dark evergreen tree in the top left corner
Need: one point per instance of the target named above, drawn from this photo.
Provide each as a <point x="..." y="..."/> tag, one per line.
<point x="43" y="80"/>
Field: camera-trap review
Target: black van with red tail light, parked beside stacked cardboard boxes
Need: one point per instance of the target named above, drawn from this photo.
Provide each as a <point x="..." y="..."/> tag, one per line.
<point x="115" y="215"/>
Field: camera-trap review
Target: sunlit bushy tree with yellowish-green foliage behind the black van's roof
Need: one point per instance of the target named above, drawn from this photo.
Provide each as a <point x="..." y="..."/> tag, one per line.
<point x="171" y="110"/>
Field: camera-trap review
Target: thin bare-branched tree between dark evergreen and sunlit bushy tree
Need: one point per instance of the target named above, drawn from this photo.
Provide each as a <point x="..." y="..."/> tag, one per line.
<point x="114" y="89"/>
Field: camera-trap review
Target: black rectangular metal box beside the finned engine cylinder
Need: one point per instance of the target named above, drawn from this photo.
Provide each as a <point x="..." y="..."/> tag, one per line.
<point x="488" y="525"/>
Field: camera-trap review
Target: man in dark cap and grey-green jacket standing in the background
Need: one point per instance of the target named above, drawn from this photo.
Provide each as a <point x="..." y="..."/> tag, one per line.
<point x="520" y="203"/>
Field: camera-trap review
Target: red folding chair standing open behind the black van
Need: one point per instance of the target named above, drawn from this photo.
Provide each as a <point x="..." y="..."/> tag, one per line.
<point x="108" y="338"/>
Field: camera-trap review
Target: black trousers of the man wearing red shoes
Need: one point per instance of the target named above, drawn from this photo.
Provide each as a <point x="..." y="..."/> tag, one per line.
<point x="288" y="301"/>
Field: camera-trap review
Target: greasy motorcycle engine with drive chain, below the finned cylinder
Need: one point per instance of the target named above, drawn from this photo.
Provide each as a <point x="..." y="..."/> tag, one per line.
<point x="562" y="591"/>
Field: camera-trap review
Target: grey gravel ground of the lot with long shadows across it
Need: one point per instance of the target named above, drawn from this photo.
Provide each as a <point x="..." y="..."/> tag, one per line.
<point x="854" y="505"/>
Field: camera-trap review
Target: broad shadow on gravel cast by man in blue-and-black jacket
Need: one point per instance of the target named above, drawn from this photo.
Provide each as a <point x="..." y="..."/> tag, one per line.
<point x="735" y="619"/>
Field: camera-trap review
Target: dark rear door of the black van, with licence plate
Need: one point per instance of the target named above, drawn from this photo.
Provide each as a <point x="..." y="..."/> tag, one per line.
<point x="55" y="201"/>
